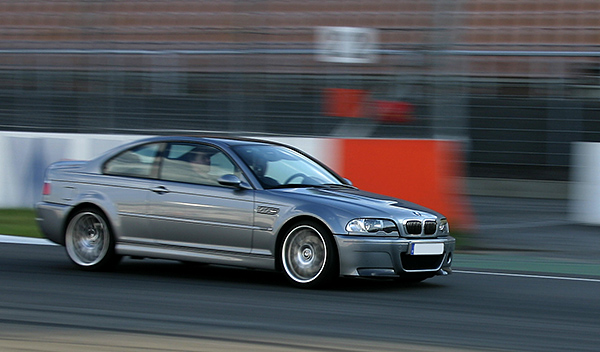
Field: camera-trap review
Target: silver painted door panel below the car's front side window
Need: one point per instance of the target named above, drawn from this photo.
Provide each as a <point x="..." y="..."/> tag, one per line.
<point x="207" y="217"/>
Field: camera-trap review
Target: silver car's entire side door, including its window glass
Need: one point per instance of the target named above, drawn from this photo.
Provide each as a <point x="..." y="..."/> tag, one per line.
<point x="189" y="208"/>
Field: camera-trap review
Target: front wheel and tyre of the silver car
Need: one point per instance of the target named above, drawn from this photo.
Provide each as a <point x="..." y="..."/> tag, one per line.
<point x="308" y="255"/>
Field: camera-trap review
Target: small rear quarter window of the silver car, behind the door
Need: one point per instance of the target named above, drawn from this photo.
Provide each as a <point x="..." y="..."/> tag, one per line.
<point x="135" y="162"/>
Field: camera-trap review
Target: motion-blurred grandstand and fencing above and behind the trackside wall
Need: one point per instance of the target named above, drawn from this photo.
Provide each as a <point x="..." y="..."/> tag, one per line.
<point x="517" y="81"/>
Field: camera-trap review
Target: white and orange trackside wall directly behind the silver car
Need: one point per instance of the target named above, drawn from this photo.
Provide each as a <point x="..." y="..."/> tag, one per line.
<point x="427" y="172"/>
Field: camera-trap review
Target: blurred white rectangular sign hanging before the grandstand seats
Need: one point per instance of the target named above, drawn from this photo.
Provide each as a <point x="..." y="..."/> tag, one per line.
<point x="347" y="44"/>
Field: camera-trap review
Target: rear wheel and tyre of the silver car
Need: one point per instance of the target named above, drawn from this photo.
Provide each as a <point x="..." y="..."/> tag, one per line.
<point x="89" y="241"/>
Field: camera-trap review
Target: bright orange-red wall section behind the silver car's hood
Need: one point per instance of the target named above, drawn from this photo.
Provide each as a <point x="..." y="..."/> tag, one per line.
<point x="426" y="172"/>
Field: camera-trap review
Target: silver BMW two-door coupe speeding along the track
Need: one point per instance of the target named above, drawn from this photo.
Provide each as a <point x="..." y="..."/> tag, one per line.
<point x="240" y="202"/>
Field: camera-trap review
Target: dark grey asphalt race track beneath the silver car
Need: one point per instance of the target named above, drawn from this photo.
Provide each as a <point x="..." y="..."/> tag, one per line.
<point x="48" y="305"/>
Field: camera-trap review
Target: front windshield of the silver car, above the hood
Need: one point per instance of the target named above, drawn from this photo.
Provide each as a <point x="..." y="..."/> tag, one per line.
<point x="279" y="167"/>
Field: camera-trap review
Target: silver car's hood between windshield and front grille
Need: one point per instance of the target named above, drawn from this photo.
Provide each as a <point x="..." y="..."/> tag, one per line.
<point x="356" y="200"/>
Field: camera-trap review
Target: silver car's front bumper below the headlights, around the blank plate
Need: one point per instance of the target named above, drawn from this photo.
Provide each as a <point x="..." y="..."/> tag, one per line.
<point x="391" y="257"/>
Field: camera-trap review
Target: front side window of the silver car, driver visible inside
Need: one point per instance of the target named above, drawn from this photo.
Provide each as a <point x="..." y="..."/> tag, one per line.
<point x="196" y="163"/>
